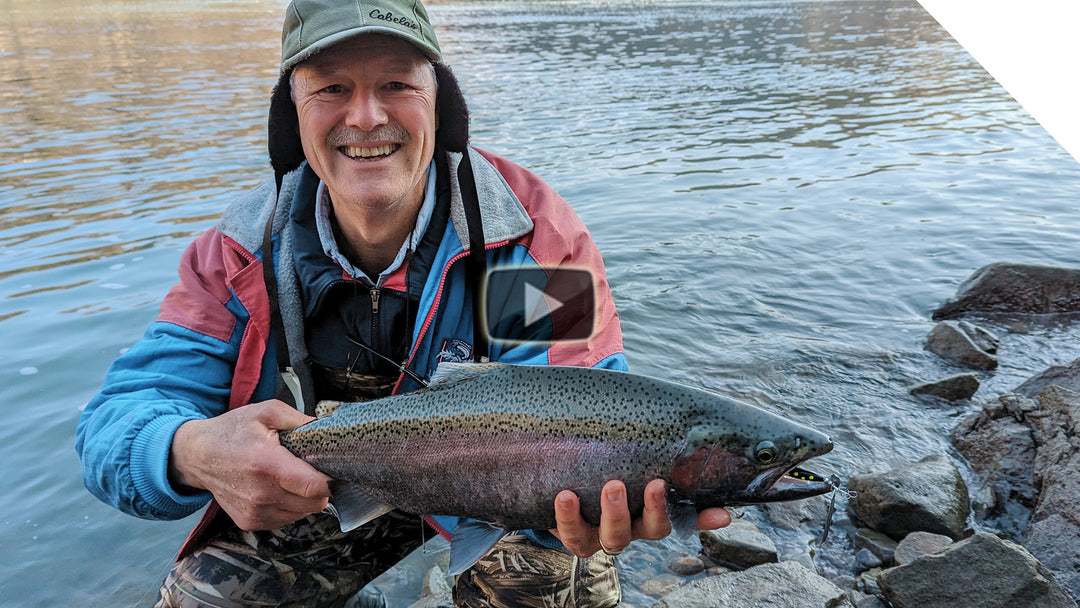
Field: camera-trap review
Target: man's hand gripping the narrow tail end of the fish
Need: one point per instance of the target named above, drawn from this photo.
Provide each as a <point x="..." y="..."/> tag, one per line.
<point x="237" y="456"/>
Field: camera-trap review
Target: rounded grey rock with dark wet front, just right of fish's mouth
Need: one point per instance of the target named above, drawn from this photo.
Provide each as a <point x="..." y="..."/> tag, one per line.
<point x="928" y="495"/>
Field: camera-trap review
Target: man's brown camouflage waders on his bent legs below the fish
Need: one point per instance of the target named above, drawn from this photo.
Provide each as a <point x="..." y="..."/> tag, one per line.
<point x="312" y="564"/>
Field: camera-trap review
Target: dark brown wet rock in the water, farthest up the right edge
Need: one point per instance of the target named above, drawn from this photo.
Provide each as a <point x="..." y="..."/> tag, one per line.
<point x="1015" y="289"/>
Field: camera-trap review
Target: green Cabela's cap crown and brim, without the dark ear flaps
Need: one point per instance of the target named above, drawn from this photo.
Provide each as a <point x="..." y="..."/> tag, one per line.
<point x="314" y="25"/>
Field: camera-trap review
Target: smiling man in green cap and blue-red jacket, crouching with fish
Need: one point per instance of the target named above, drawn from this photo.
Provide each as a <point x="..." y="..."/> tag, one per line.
<point x="349" y="278"/>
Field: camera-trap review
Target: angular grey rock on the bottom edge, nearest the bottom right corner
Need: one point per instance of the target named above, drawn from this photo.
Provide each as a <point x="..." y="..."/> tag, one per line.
<point x="982" y="571"/>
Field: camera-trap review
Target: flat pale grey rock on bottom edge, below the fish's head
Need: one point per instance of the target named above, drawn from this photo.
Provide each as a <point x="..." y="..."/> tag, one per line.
<point x="786" y="585"/>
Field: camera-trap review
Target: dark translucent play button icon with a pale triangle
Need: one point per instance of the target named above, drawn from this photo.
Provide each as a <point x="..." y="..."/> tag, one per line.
<point x="531" y="304"/>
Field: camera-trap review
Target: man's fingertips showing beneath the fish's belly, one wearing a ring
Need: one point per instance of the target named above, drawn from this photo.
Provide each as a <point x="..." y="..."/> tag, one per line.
<point x="617" y="531"/>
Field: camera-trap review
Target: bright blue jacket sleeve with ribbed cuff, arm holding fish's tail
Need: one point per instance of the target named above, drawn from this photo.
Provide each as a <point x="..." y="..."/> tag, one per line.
<point x="124" y="439"/>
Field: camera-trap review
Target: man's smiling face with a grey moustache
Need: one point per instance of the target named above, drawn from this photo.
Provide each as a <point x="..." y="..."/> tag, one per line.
<point x="367" y="110"/>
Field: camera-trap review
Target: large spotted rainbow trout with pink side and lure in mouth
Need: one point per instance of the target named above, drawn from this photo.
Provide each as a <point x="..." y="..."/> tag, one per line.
<point x="495" y="443"/>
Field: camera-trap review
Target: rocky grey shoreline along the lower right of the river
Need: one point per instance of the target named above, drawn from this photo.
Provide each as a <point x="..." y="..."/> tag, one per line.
<point x="919" y="535"/>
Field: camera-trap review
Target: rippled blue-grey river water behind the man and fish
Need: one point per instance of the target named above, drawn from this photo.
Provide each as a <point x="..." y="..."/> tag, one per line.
<point x="784" y="191"/>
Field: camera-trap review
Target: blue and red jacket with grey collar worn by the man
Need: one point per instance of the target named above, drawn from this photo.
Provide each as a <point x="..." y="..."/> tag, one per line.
<point x="210" y="349"/>
